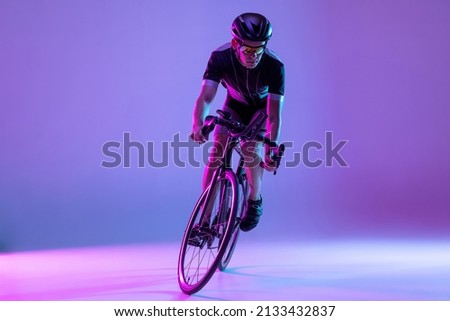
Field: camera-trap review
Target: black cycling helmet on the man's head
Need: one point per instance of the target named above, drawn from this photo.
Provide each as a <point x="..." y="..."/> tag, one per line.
<point x="252" y="27"/>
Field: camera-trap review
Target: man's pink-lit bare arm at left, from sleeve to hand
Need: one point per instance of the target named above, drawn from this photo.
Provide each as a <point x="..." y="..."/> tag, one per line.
<point x="201" y="108"/>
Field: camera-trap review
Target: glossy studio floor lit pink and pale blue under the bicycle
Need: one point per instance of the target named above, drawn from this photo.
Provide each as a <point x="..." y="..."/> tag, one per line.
<point x="316" y="271"/>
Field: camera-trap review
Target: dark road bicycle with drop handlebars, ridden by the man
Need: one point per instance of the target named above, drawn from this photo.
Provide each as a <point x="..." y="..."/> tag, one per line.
<point x="212" y="231"/>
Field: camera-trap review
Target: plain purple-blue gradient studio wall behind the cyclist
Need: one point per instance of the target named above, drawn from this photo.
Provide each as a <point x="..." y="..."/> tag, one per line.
<point x="75" y="74"/>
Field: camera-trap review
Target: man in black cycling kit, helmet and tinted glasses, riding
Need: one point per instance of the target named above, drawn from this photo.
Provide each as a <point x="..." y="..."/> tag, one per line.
<point x="253" y="76"/>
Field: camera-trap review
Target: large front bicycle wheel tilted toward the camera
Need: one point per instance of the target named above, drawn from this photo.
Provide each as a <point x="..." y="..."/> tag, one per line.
<point x="208" y="233"/>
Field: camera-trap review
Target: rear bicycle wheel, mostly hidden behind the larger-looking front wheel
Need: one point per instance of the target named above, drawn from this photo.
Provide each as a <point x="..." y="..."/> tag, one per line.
<point x="231" y="245"/>
